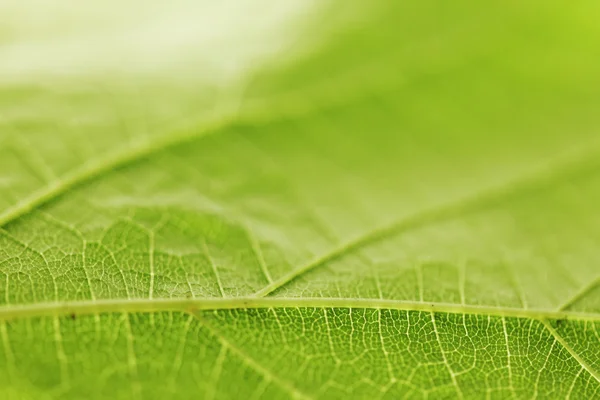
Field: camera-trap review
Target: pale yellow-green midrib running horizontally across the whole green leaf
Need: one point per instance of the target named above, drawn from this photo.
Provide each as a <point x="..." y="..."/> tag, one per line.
<point x="76" y="308"/>
